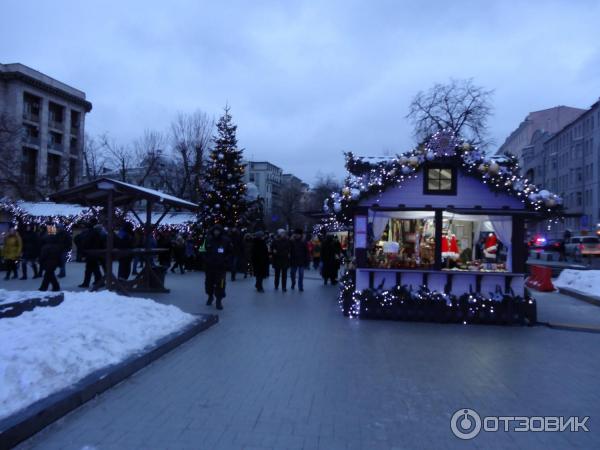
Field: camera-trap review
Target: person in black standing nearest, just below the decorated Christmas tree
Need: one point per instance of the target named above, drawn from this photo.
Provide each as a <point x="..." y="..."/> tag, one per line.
<point x="217" y="259"/>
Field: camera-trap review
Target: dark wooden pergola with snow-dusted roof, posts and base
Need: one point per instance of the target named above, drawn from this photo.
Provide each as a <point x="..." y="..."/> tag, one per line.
<point x="110" y="194"/>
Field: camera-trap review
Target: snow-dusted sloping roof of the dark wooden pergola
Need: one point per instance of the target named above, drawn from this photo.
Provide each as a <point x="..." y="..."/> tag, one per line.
<point x="95" y="193"/>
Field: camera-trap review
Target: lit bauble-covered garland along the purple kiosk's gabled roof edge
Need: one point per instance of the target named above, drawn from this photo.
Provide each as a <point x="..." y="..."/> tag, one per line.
<point x="501" y="174"/>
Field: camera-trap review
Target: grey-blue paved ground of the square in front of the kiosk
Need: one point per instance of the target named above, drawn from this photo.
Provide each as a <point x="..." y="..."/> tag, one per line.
<point x="289" y="371"/>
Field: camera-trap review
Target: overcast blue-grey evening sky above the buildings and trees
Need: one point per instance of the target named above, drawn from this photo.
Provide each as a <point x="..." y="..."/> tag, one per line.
<point x="306" y="80"/>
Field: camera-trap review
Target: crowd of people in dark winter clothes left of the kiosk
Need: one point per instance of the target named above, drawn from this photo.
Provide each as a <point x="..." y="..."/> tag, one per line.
<point x="46" y="248"/>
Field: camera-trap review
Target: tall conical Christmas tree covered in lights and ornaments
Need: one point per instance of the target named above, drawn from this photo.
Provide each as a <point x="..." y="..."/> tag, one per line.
<point x="224" y="200"/>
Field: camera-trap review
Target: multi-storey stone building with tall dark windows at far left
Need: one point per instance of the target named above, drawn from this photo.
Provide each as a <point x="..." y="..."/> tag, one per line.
<point x="50" y="116"/>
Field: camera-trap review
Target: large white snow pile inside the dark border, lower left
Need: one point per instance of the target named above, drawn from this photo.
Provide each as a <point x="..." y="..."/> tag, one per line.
<point x="48" y="349"/>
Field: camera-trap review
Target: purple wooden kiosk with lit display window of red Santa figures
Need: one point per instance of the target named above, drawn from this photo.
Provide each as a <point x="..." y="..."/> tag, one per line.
<point x="437" y="229"/>
